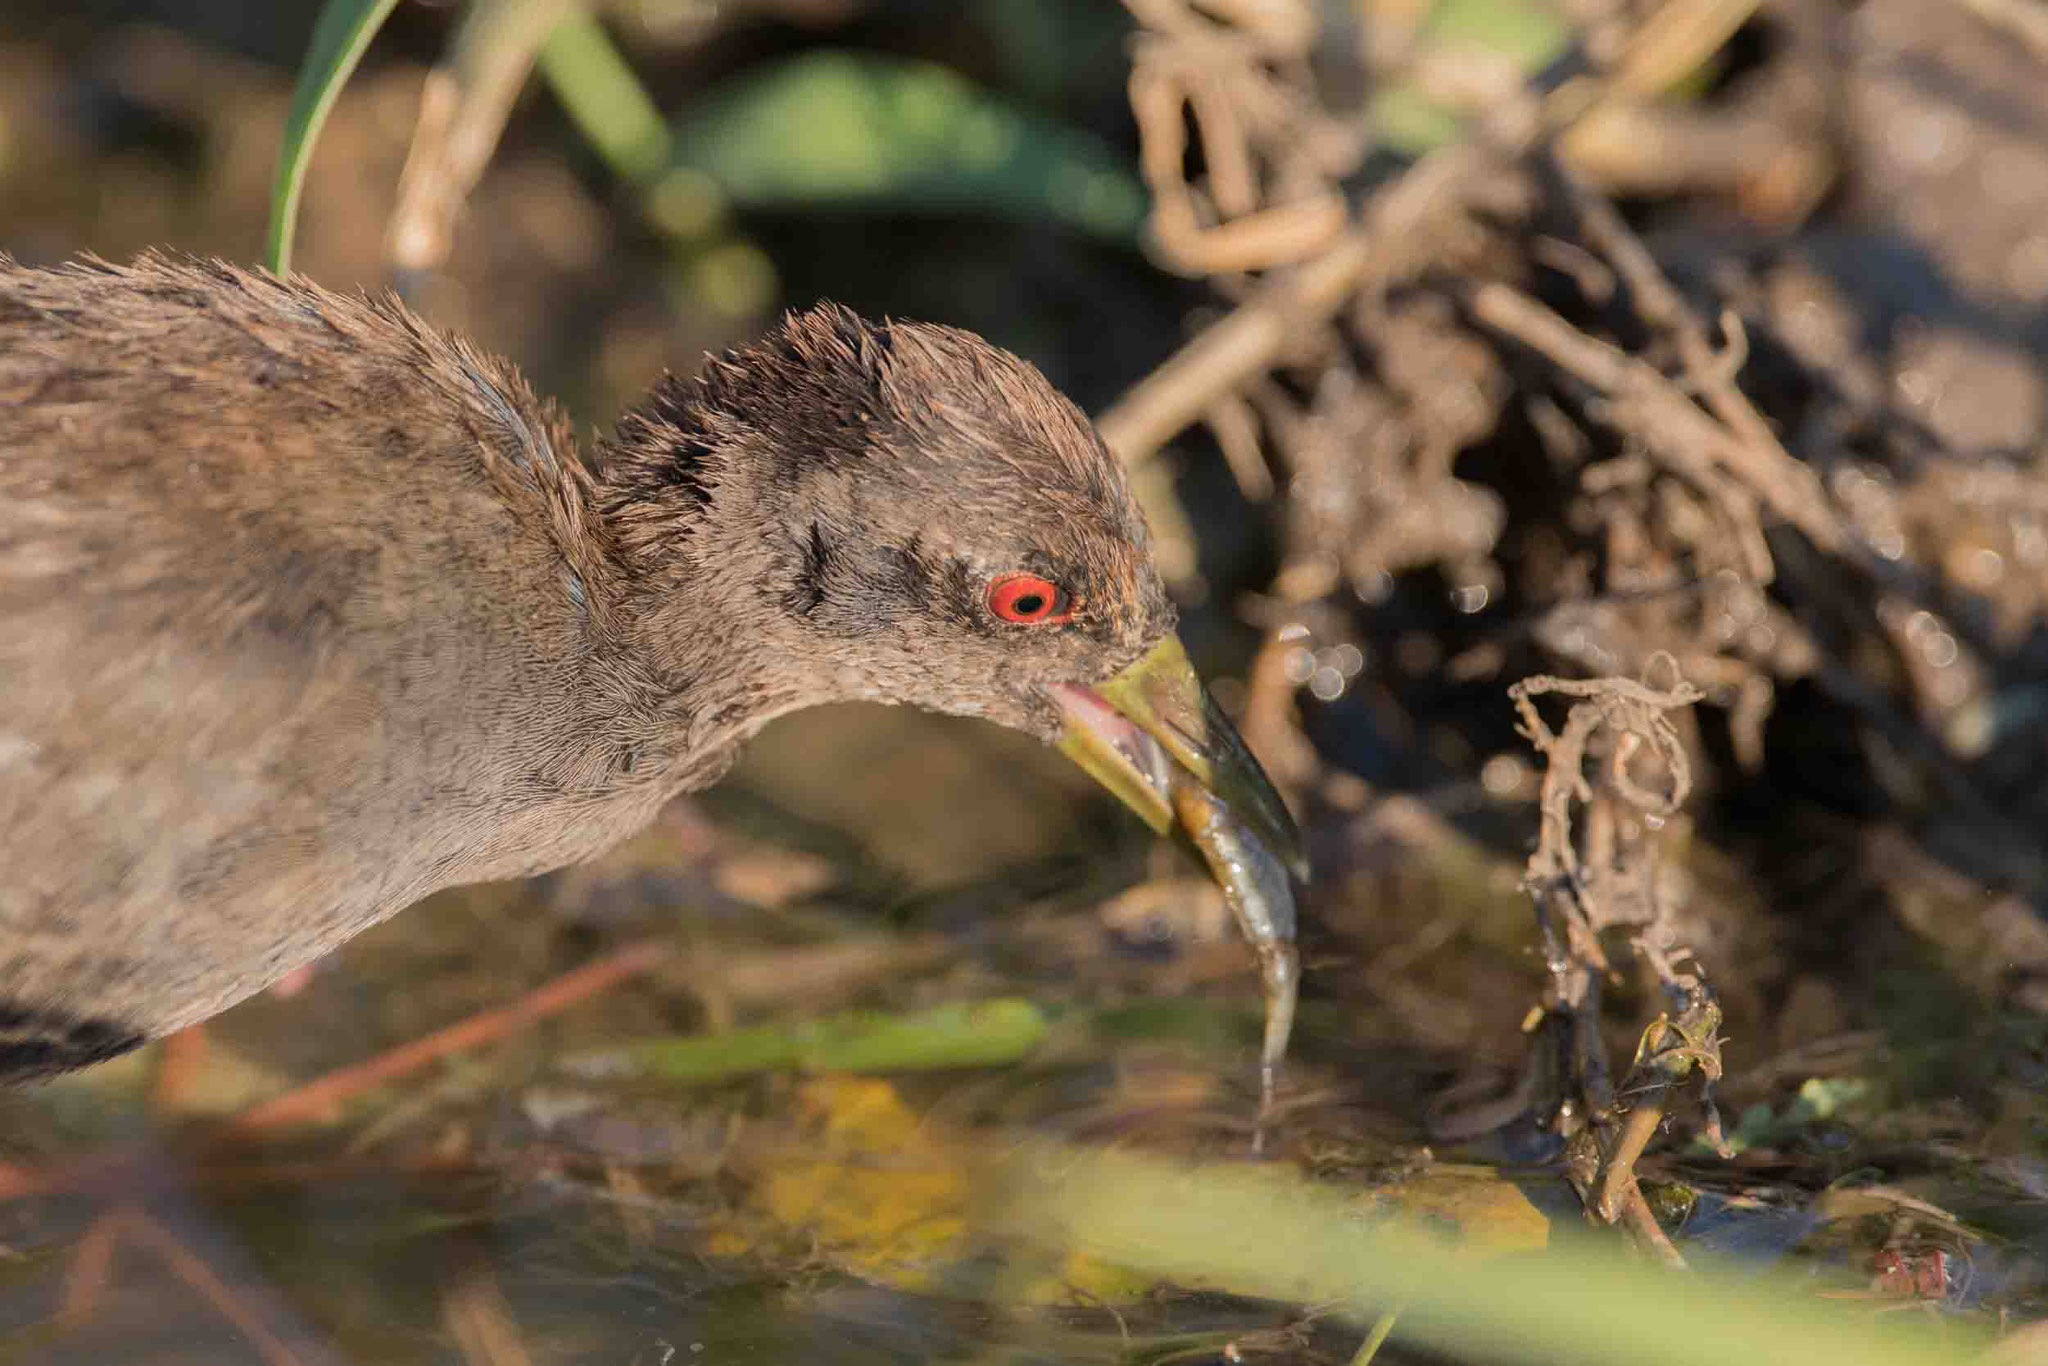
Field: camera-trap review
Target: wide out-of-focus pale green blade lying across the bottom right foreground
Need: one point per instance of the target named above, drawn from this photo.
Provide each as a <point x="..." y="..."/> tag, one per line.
<point x="1273" y="1234"/>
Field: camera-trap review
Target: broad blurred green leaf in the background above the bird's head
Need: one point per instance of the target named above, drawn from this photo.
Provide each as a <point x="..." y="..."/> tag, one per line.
<point x="867" y="130"/>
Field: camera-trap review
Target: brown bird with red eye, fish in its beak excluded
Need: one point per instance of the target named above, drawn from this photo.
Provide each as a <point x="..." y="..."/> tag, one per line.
<point x="310" y="609"/>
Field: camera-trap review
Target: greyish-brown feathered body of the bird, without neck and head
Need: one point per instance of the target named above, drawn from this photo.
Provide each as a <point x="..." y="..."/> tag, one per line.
<point x="249" y="540"/>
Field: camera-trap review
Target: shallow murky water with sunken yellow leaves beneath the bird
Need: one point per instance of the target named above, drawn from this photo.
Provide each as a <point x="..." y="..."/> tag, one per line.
<point x="513" y="1205"/>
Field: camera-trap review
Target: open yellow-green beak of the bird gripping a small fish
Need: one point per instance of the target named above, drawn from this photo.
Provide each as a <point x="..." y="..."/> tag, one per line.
<point x="1154" y="726"/>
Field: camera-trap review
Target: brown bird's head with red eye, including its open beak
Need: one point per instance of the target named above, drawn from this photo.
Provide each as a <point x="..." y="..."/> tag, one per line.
<point x="902" y="513"/>
